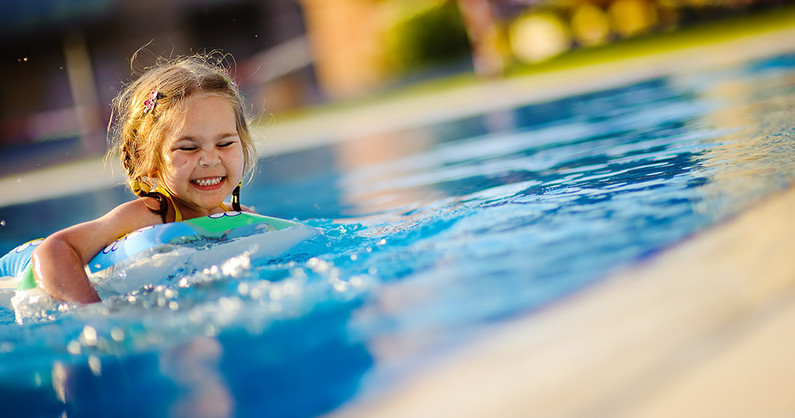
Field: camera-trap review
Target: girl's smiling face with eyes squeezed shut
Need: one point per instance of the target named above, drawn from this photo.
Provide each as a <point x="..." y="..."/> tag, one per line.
<point x="204" y="158"/>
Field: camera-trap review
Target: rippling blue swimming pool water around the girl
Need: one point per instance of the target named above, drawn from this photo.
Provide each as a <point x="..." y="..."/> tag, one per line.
<point x="429" y="236"/>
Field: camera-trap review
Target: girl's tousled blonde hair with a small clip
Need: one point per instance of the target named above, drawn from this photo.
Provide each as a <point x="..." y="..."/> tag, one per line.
<point x="138" y="131"/>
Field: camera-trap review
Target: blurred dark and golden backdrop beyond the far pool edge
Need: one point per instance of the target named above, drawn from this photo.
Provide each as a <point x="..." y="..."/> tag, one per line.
<point x="65" y="60"/>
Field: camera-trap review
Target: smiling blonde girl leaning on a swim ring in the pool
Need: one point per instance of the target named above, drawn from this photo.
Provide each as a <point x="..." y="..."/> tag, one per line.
<point x="183" y="139"/>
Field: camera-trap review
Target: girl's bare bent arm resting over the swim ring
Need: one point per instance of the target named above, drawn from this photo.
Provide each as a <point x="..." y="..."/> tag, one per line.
<point x="59" y="261"/>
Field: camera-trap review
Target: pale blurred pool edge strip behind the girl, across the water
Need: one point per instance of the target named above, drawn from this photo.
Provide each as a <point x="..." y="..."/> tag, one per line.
<point x="492" y="96"/>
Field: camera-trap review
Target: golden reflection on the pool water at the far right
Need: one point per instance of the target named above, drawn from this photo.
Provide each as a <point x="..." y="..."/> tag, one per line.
<point x="756" y="114"/>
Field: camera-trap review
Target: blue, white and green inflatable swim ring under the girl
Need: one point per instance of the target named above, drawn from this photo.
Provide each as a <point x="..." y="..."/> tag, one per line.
<point x="214" y="228"/>
